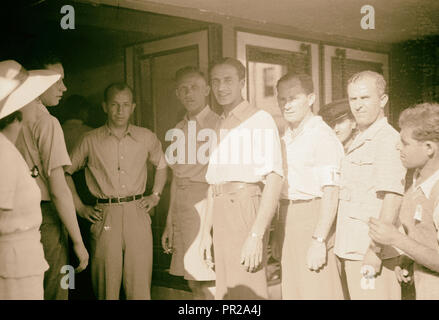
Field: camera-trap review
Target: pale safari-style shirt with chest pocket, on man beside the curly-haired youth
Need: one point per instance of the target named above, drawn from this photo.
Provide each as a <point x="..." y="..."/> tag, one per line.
<point x="371" y="166"/>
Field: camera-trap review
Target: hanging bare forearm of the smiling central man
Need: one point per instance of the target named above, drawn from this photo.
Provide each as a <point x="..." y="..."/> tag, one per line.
<point x="268" y="203"/>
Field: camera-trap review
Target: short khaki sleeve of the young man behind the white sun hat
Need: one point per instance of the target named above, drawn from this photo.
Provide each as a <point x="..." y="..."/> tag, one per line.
<point x="51" y="144"/>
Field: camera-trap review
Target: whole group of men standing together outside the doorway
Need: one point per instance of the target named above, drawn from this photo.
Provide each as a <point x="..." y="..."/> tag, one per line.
<point x="332" y="184"/>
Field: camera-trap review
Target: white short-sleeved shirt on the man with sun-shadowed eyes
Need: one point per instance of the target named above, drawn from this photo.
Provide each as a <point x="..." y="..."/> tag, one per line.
<point x="312" y="159"/>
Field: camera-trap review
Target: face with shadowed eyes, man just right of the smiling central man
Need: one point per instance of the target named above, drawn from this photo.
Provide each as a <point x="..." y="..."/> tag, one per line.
<point x="294" y="103"/>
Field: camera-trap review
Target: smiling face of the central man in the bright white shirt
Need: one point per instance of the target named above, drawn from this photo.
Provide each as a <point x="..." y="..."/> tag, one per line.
<point x="226" y="85"/>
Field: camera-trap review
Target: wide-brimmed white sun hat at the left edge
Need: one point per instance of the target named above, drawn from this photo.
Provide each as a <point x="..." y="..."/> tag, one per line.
<point x="18" y="86"/>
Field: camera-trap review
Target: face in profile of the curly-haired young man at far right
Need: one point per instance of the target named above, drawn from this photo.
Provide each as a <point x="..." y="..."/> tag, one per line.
<point x="413" y="153"/>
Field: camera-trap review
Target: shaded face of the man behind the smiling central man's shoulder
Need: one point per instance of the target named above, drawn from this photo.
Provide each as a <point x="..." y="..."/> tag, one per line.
<point x="192" y="91"/>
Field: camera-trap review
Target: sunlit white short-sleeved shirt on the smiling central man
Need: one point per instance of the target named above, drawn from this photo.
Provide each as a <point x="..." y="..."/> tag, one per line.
<point x="248" y="147"/>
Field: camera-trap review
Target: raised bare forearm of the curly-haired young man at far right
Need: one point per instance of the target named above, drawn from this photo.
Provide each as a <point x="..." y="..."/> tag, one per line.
<point x="420" y="253"/>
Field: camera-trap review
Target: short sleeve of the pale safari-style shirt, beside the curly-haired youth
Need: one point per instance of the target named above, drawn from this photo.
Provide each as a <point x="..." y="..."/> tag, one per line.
<point x="389" y="171"/>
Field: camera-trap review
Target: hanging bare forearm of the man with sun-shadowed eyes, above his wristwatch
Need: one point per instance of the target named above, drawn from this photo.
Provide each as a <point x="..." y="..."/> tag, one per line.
<point x="328" y="211"/>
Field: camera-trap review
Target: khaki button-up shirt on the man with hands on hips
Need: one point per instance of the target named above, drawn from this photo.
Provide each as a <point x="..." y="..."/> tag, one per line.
<point x="117" y="167"/>
